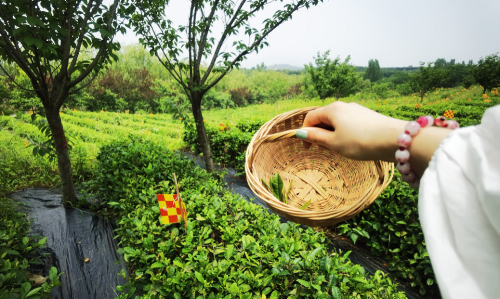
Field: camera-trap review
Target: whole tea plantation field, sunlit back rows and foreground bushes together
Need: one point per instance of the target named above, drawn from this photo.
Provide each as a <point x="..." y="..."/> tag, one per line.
<point x="128" y="158"/>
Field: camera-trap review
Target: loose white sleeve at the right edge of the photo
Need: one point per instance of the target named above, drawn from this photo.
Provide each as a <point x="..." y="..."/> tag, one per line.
<point x="459" y="210"/>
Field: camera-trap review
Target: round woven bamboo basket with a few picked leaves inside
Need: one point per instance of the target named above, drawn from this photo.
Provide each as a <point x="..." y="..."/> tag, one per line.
<point x="339" y="188"/>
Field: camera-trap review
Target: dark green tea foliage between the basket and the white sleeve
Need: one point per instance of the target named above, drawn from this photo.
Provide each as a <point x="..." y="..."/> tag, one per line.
<point x="391" y="229"/>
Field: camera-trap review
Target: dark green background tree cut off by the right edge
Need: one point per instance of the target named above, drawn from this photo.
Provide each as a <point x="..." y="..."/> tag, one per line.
<point x="487" y="72"/>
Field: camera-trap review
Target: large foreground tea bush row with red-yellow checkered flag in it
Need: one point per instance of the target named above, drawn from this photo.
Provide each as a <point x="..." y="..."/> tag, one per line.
<point x="231" y="248"/>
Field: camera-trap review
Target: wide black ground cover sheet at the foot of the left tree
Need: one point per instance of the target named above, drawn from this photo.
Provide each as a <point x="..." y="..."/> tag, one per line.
<point x="72" y="237"/>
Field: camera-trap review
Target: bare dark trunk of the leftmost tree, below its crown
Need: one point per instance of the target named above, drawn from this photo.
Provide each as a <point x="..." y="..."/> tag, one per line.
<point x="63" y="161"/>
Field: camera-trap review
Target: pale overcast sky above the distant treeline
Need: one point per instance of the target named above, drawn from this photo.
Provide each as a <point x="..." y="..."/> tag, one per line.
<point x="396" y="32"/>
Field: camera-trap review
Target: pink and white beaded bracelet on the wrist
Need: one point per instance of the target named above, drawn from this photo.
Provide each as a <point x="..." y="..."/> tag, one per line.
<point x="404" y="140"/>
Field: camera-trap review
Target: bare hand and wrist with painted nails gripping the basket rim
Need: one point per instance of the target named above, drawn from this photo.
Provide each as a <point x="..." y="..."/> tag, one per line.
<point x="359" y="133"/>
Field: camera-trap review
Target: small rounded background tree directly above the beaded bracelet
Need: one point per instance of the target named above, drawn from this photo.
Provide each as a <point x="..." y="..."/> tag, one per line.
<point x="427" y="78"/>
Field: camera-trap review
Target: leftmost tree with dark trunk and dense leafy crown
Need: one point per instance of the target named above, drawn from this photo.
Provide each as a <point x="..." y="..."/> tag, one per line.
<point x="45" y="39"/>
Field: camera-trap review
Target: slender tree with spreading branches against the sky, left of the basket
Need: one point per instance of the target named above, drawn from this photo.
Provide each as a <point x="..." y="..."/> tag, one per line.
<point x="164" y="39"/>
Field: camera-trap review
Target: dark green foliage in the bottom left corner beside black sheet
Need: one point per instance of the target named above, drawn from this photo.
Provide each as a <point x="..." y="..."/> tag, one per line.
<point x="16" y="255"/>
